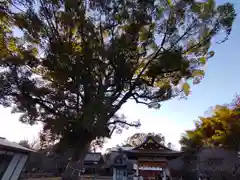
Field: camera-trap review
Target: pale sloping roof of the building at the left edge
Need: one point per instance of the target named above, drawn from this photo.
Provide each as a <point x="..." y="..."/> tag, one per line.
<point x="5" y="144"/>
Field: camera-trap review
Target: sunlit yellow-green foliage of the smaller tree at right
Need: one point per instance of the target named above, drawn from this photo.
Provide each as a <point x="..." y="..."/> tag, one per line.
<point x="221" y="129"/>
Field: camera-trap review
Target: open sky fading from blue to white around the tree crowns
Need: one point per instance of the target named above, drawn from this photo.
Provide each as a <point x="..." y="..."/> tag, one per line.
<point x="219" y="86"/>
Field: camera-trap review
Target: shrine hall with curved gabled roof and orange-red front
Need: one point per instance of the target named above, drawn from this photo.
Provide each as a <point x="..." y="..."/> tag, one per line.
<point x="151" y="158"/>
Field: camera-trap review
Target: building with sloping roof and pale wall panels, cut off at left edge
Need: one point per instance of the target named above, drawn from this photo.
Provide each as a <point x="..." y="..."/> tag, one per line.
<point x="12" y="159"/>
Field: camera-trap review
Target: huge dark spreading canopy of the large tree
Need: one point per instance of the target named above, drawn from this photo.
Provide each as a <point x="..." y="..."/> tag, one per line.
<point x="72" y="64"/>
